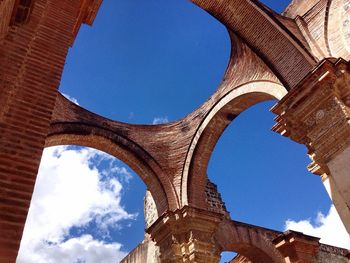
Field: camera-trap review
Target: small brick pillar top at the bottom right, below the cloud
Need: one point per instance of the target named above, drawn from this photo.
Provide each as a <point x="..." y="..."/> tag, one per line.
<point x="297" y="247"/>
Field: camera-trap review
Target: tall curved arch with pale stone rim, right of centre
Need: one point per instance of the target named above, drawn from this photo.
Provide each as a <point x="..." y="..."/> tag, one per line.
<point x="219" y="117"/>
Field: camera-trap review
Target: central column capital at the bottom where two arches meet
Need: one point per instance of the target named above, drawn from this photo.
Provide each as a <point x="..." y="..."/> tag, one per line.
<point x="187" y="236"/>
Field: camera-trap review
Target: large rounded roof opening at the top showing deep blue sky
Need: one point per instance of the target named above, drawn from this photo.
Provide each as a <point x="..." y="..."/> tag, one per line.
<point x="147" y="61"/>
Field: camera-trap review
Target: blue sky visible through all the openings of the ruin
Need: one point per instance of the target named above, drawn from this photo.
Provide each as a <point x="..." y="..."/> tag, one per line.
<point x="144" y="60"/>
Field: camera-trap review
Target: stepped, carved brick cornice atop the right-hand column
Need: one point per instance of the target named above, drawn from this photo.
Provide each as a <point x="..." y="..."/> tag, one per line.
<point x="316" y="113"/>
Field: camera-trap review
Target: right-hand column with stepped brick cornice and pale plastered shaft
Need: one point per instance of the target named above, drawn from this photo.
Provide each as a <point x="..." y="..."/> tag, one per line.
<point x="317" y="113"/>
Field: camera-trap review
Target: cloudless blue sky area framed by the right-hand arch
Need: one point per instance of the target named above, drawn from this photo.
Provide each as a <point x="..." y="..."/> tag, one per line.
<point x="262" y="176"/>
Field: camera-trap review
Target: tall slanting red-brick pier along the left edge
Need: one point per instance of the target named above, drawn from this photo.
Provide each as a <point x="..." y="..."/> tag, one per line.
<point x="32" y="57"/>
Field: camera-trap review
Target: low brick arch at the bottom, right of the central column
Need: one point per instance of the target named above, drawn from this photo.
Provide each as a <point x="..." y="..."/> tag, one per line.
<point x="251" y="242"/>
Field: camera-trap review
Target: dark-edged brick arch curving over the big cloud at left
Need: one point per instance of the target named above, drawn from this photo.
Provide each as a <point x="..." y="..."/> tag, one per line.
<point x="96" y="134"/>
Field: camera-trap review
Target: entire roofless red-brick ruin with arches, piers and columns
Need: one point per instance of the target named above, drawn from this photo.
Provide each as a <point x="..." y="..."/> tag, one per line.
<point x="300" y="58"/>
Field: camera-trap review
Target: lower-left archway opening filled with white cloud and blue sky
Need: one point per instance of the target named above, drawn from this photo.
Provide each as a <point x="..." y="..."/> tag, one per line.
<point x="84" y="206"/>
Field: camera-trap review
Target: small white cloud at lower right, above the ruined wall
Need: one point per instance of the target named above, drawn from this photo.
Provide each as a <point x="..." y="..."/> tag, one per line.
<point x="328" y="227"/>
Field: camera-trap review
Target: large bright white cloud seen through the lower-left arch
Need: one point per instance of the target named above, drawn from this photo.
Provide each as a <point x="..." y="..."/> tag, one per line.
<point x="71" y="191"/>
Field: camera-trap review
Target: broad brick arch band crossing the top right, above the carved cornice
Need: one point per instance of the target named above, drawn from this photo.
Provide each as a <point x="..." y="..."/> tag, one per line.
<point x="265" y="35"/>
